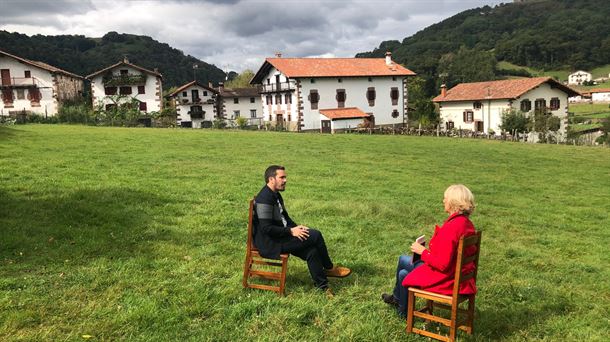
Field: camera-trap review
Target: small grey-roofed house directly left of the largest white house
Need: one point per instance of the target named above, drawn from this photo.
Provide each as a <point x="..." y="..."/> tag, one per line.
<point x="241" y="102"/>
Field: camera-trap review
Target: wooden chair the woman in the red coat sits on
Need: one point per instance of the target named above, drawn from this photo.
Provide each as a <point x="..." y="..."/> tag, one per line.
<point x="452" y="303"/>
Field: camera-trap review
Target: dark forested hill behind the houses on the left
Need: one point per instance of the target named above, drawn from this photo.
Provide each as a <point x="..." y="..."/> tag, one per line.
<point x="83" y="56"/>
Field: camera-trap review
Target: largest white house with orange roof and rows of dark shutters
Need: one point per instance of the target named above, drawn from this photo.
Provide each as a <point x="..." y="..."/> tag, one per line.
<point x="331" y="94"/>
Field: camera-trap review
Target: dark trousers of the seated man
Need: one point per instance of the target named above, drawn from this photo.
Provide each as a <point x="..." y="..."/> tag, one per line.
<point x="313" y="250"/>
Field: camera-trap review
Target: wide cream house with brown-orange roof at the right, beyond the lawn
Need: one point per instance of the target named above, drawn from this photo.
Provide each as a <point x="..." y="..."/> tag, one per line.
<point x="479" y="106"/>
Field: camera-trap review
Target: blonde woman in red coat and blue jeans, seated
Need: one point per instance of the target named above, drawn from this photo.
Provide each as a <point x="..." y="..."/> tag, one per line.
<point x="434" y="268"/>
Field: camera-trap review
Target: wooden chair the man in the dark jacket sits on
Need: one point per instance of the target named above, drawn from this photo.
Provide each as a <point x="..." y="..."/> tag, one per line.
<point x="254" y="258"/>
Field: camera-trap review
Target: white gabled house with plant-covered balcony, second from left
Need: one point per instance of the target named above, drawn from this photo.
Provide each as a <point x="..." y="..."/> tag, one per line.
<point x="125" y="82"/>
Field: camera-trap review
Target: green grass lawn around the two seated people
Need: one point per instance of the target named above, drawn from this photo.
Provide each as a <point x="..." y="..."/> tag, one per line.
<point x="139" y="234"/>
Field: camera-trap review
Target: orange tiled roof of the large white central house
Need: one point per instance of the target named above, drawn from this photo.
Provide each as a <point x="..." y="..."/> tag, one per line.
<point x="331" y="67"/>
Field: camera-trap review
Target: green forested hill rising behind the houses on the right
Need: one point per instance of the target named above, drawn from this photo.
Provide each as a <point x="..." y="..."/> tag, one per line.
<point x="544" y="34"/>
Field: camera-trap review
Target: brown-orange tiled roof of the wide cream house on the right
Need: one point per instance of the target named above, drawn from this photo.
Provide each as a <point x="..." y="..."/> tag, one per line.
<point x="494" y="90"/>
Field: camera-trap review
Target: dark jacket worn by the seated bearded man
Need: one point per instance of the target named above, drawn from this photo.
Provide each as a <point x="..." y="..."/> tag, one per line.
<point x="269" y="230"/>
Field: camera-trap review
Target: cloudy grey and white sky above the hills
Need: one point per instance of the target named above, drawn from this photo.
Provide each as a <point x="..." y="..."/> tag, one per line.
<point x="238" y="34"/>
